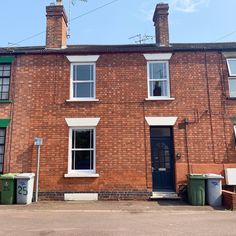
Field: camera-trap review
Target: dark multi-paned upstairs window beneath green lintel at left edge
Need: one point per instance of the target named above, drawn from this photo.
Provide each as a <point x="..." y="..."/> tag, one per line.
<point x="5" y="73"/>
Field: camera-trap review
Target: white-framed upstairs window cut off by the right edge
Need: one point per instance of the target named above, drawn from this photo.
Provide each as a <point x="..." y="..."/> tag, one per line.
<point x="232" y="76"/>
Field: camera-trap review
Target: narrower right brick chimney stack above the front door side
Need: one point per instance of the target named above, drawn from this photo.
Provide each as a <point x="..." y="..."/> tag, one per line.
<point x="160" y="20"/>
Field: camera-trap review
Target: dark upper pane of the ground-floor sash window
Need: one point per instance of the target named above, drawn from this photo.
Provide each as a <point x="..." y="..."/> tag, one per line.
<point x="83" y="138"/>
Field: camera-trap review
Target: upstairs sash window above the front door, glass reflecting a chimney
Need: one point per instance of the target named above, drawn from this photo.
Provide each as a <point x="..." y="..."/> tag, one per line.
<point x="158" y="79"/>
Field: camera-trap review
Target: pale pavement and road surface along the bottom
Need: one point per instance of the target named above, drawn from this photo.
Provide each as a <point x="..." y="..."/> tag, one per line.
<point x="105" y="218"/>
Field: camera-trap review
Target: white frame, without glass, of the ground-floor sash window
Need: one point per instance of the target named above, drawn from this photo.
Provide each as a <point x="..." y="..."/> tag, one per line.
<point x="70" y="170"/>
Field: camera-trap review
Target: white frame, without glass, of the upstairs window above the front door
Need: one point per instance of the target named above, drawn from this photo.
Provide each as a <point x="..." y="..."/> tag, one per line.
<point x="167" y="80"/>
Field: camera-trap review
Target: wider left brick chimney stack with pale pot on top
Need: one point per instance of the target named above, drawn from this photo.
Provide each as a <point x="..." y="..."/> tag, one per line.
<point x="56" y="26"/>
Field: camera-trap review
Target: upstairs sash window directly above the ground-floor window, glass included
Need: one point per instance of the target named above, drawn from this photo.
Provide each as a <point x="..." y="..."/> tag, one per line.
<point x="83" y="81"/>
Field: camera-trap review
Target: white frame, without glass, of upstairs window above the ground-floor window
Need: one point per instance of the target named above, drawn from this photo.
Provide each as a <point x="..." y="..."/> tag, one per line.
<point x="72" y="98"/>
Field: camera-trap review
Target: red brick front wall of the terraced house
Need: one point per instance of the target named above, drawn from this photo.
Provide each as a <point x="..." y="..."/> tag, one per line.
<point x="123" y="139"/>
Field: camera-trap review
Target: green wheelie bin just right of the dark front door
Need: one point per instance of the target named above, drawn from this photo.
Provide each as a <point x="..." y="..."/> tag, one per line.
<point x="196" y="189"/>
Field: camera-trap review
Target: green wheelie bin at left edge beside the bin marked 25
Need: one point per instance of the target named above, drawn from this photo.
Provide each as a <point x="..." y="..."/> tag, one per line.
<point x="8" y="195"/>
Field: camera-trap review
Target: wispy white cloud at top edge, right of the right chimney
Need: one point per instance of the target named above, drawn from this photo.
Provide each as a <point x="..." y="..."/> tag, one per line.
<point x="188" y="6"/>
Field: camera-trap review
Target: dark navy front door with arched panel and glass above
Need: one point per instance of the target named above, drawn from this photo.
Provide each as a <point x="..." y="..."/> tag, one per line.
<point x="162" y="159"/>
